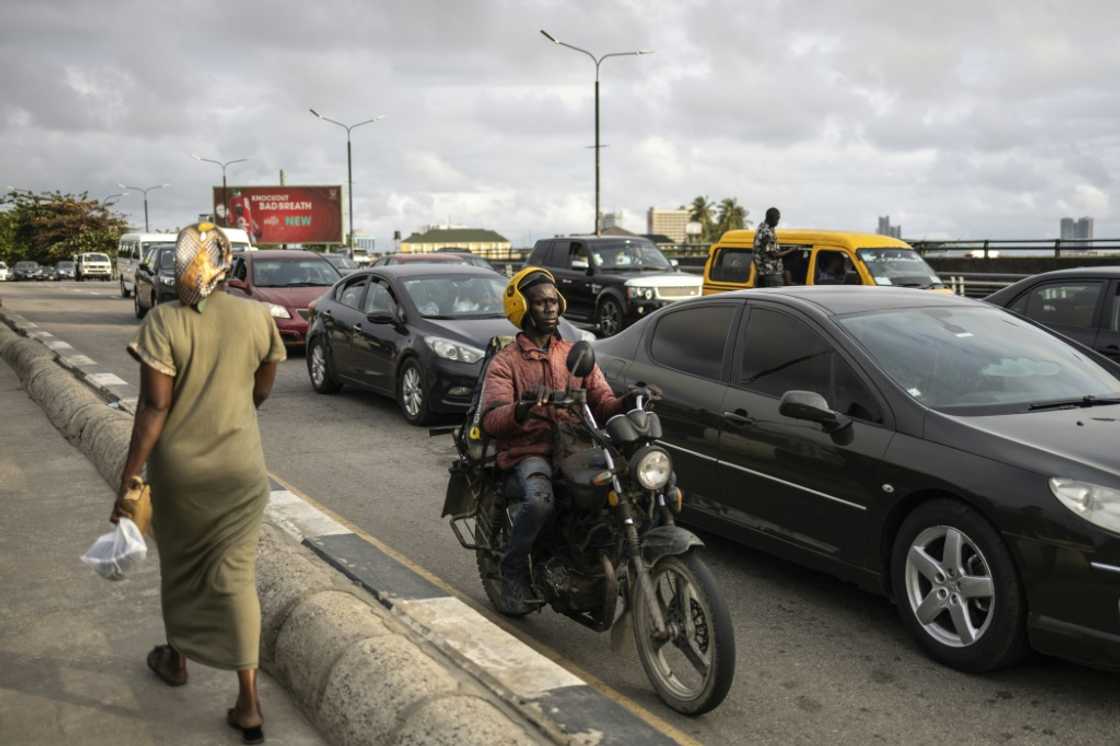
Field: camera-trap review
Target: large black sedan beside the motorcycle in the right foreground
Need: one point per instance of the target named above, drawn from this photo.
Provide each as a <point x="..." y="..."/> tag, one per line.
<point x="959" y="459"/>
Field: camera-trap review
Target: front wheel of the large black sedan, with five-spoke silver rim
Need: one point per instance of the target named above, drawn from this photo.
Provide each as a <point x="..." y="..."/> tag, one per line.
<point x="958" y="590"/>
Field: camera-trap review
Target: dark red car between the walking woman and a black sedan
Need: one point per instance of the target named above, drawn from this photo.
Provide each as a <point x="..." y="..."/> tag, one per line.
<point x="287" y="282"/>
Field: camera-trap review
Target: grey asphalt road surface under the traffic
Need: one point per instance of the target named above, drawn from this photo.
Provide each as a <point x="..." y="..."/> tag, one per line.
<point x="819" y="661"/>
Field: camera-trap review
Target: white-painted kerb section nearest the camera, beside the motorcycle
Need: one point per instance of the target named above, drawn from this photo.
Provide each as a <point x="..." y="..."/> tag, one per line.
<point x="517" y="667"/>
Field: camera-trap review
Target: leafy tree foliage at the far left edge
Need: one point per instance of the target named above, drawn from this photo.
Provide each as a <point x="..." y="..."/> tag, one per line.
<point x="50" y="227"/>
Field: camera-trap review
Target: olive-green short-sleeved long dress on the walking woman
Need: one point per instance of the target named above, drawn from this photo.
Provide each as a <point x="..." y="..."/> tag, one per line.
<point x="209" y="482"/>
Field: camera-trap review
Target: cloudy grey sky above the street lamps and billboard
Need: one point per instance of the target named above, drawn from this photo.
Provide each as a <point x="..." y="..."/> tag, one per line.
<point x="958" y="119"/>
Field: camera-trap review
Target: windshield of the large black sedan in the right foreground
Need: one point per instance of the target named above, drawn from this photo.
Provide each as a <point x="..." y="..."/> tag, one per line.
<point x="978" y="361"/>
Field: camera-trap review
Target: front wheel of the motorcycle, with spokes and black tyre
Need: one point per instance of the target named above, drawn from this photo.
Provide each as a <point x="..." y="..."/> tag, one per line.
<point x="693" y="670"/>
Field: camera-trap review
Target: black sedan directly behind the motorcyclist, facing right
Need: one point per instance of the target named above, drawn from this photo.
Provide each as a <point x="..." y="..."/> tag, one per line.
<point x="414" y="332"/>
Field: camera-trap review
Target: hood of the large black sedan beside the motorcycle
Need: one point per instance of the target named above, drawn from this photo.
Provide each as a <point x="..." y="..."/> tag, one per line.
<point x="1059" y="443"/>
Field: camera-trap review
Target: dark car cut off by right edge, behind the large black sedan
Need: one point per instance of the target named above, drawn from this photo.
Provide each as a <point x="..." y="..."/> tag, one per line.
<point x="1082" y="304"/>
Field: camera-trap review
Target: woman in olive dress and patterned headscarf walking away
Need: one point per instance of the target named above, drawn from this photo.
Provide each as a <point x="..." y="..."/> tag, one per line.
<point x="206" y="365"/>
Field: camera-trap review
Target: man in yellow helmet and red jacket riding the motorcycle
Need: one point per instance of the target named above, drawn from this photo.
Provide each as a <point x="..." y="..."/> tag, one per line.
<point x="518" y="417"/>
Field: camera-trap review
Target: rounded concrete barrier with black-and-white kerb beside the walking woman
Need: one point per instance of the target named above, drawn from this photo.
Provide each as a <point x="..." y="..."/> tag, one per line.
<point x="375" y="650"/>
